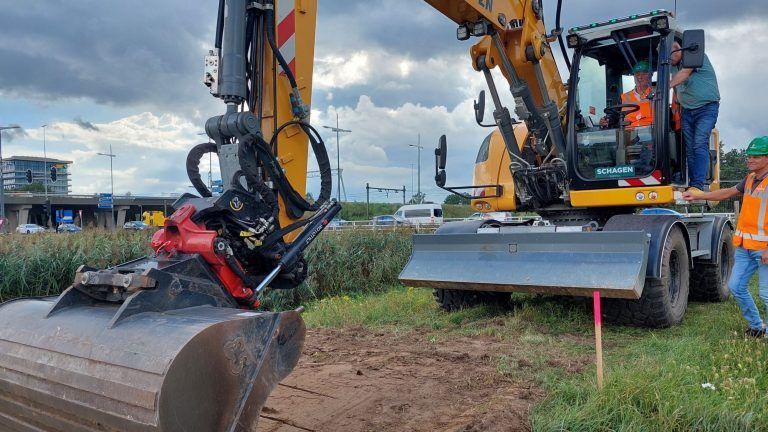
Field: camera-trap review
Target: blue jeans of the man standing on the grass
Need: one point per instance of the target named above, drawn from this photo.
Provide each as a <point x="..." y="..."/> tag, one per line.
<point x="745" y="264"/>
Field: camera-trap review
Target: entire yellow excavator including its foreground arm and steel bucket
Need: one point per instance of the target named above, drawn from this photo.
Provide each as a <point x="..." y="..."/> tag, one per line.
<point x="176" y="341"/>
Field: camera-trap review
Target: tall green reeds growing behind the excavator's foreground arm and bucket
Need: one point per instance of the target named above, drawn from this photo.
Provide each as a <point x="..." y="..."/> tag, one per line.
<point x="339" y="262"/>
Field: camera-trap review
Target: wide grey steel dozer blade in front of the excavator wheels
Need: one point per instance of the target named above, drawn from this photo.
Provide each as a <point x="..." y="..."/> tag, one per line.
<point x="559" y="263"/>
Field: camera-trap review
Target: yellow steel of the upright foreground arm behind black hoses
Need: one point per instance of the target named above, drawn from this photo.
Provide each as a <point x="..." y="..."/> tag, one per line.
<point x="293" y="145"/>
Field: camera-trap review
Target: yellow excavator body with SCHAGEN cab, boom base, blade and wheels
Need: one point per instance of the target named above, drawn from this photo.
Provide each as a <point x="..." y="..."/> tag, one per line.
<point x="574" y="157"/>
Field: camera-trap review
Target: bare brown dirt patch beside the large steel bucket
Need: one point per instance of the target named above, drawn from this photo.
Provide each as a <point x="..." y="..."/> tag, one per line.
<point x="363" y="380"/>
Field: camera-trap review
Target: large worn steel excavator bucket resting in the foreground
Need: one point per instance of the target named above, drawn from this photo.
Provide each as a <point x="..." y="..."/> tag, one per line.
<point x="201" y="368"/>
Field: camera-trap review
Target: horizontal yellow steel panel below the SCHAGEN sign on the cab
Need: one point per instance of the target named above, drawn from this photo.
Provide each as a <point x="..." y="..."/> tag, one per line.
<point x="645" y="196"/>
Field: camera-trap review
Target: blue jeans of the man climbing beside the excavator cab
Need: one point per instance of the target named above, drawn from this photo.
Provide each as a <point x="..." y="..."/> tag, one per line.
<point x="697" y="127"/>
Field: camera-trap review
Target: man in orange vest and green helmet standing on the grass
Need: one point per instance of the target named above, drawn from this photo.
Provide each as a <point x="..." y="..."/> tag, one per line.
<point x="751" y="235"/>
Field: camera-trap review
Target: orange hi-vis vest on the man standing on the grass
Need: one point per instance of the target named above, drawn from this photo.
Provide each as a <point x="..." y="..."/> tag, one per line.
<point x="752" y="227"/>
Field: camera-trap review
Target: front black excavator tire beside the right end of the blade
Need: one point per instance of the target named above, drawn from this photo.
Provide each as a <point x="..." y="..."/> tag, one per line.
<point x="663" y="302"/>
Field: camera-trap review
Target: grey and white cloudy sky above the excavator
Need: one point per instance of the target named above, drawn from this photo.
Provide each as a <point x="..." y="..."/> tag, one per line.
<point x="127" y="74"/>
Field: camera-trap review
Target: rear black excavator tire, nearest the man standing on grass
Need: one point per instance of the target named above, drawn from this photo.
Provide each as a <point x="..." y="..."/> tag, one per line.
<point x="709" y="280"/>
